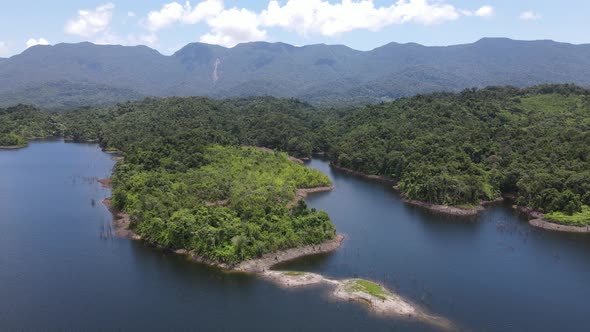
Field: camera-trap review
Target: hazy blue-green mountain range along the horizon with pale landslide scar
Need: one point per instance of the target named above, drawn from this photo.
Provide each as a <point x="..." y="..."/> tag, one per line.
<point x="71" y="75"/>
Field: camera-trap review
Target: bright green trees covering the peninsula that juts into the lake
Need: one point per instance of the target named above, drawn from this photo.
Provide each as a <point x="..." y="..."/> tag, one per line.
<point x="233" y="207"/>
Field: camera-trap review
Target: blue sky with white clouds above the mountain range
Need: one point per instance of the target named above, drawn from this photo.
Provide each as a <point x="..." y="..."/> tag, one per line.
<point x="361" y="24"/>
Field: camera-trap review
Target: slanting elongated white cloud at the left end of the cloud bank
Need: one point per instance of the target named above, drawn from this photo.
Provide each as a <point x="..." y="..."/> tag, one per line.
<point x="174" y="12"/>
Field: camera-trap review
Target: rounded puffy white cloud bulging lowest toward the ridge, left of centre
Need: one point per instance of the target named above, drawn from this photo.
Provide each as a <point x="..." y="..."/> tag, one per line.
<point x="232" y="27"/>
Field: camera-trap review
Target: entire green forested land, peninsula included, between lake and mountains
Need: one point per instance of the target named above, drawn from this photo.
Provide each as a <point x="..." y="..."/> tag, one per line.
<point x="190" y="179"/>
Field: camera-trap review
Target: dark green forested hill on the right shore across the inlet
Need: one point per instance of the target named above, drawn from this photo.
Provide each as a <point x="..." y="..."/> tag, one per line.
<point x="461" y="148"/>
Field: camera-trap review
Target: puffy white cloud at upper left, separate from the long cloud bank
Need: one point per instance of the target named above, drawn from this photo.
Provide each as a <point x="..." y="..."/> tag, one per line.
<point x="91" y="22"/>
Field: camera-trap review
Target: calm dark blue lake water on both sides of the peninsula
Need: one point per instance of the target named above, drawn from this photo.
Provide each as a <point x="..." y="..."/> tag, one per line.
<point x="60" y="268"/>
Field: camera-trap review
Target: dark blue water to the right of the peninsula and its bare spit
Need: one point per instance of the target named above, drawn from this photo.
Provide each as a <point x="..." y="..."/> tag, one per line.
<point x="489" y="273"/>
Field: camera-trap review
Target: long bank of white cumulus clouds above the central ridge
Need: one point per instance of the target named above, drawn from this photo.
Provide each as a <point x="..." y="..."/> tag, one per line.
<point x="305" y="17"/>
